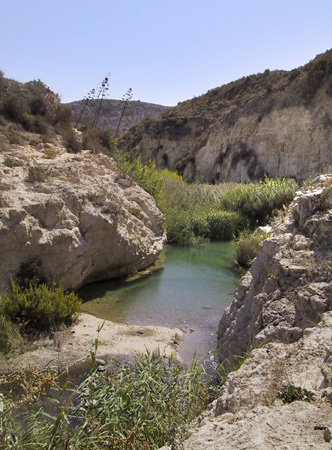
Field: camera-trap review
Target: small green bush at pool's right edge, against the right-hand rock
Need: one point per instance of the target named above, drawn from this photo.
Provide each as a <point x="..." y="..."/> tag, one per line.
<point x="247" y="247"/>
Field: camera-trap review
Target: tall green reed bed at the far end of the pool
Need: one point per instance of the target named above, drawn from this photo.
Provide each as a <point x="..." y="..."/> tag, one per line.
<point x="197" y="212"/>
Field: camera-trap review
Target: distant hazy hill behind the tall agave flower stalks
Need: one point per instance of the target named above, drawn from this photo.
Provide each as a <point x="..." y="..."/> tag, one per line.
<point x="110" y="113"/>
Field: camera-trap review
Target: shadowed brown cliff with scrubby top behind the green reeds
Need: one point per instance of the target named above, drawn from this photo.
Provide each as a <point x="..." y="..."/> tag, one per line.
<point x="276" y="123"/>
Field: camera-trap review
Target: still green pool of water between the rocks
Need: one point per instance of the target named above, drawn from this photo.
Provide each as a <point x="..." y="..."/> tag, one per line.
<point x="190" y="291"/>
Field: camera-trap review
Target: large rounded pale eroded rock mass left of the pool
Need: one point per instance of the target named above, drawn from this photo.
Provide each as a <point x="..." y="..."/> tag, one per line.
<point x="76" y="213"/>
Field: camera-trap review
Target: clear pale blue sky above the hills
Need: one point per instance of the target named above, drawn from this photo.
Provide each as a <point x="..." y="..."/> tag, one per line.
<point x="165" y="50"/>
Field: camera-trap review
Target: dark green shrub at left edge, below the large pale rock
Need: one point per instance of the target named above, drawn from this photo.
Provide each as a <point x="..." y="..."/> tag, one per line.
<point x="39" y="307"/>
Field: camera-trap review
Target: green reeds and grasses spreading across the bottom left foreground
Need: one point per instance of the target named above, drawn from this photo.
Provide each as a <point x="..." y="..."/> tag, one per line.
<point x="144" y="404"/>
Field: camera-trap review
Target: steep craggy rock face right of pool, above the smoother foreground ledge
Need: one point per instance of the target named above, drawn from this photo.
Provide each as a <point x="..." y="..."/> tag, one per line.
<point x="289" y="286"/>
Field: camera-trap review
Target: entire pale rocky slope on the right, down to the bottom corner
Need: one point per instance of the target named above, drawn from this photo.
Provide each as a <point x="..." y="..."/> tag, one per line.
<point x="280" y="324"/>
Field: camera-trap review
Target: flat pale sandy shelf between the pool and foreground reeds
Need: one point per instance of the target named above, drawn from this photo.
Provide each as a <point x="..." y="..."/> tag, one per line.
<point x="75" y="343"/>
